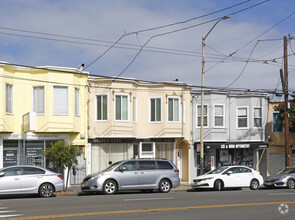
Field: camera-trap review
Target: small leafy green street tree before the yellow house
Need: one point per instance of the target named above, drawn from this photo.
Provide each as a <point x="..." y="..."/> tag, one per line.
<point x="63" y="156"/>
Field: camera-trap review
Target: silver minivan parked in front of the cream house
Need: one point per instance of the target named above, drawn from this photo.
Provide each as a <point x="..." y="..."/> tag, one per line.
<point x="134" y="174"/>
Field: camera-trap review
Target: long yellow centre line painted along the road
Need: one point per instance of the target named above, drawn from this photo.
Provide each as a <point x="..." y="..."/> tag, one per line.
<point x="149" y="210"/>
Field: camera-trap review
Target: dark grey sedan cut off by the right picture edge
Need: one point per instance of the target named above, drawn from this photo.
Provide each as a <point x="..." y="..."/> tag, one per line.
<point x="284" y="178"/>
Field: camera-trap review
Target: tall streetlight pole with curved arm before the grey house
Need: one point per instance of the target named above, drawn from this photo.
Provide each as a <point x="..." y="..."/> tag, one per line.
<point x="202" y="94"/>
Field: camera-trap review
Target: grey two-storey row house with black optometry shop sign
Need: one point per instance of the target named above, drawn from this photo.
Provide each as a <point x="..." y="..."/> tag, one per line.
<point x="235" y="130"/>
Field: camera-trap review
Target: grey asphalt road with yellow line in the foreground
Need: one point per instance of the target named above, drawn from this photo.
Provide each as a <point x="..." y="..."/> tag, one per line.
<point x="229" y="204"/>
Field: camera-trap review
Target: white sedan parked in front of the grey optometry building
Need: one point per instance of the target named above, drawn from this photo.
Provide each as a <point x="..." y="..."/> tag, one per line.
<point x="229" y="177"/>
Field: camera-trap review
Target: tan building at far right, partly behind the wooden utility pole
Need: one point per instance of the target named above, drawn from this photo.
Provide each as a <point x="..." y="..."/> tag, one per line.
<point x="276" y="131"/>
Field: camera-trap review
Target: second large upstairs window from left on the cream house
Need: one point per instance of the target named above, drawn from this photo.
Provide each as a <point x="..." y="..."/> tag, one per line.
<point x="122" y="110"/>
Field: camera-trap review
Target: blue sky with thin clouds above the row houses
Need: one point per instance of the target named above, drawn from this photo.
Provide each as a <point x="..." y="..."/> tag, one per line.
<point x="155" y="40"/>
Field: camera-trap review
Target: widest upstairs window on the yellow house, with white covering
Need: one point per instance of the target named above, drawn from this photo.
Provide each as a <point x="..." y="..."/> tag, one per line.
<point x="60" y="100"/>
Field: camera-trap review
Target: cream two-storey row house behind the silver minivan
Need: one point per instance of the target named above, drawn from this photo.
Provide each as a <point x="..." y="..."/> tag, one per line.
<point x="134" y="119"/>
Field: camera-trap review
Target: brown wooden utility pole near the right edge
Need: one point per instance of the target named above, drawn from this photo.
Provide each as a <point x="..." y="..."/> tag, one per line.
<point x="284" y="80"/>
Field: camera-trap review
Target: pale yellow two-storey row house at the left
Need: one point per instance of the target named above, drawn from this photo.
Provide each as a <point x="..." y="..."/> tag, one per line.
<point x="40" y="106"/>
